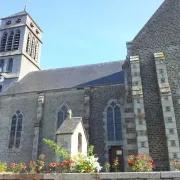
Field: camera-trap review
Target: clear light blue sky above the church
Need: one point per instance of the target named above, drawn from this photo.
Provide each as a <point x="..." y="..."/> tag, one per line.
<point x="78" y="32"/>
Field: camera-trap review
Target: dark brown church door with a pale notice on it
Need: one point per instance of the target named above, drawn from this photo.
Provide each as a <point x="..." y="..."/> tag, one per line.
<point x="116" y="153"/>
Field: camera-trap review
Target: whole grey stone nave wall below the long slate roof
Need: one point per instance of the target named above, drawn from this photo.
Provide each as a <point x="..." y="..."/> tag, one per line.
<point x="91" y="112"/>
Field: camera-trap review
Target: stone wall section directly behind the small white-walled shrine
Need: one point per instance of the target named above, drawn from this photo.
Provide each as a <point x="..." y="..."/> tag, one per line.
<point x="52" y="103"/>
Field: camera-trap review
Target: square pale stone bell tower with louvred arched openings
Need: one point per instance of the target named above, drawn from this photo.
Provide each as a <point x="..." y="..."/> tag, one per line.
<point x="20" y="48"/>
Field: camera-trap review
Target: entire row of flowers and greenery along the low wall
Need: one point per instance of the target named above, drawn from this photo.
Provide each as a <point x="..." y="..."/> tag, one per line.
<point x="76" y="164"/>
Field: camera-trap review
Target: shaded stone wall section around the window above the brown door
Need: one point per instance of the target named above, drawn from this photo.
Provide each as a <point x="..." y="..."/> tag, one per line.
<point x="98" y="102"/>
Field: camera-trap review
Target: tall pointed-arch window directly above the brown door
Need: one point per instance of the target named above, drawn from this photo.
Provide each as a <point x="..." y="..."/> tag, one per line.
<point x="114" y="125"/>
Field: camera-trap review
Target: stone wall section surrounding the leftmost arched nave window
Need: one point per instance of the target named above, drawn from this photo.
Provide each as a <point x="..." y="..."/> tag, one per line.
<point x="27" y="105"/>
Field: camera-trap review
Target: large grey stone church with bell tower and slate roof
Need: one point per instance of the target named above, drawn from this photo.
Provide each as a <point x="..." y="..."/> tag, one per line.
<point x="127" y="107"/>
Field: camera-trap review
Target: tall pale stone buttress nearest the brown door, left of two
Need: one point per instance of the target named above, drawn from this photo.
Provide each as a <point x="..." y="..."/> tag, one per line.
<point x="139" y="111"/>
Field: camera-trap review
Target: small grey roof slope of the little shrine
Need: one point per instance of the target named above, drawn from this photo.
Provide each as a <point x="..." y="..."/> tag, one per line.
<point x="69" y="126"/>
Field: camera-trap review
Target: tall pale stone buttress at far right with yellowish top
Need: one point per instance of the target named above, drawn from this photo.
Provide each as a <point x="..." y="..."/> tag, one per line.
<point x="167" y="108"/>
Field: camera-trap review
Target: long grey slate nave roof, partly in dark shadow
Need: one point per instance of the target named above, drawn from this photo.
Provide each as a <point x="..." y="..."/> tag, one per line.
<point x="72" y="77"/>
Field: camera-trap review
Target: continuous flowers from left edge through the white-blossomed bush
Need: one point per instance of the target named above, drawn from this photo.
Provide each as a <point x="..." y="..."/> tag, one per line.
<point x="77" y="164"/>
